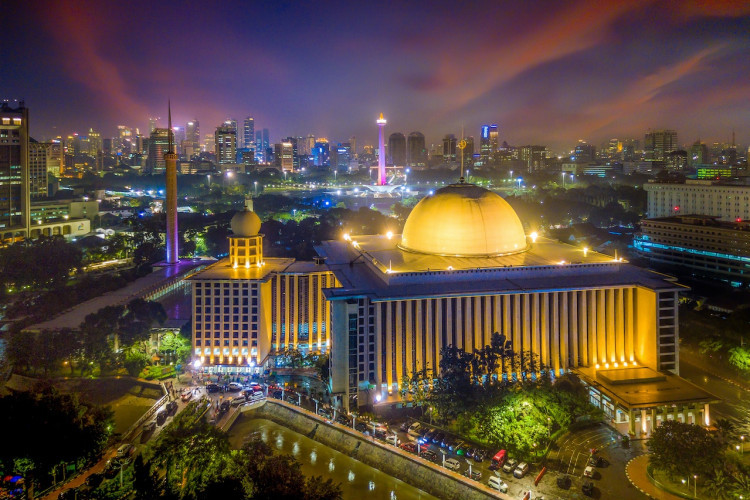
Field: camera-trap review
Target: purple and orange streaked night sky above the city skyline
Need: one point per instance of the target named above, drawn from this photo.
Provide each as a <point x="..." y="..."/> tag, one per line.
<point x="546" y="72"/>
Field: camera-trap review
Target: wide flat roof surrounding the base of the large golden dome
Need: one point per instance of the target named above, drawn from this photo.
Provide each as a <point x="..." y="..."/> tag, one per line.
<point x="361" y="273"/>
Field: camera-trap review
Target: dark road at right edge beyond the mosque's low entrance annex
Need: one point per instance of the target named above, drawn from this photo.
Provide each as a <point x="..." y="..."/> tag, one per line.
<point x="735" y="401"/>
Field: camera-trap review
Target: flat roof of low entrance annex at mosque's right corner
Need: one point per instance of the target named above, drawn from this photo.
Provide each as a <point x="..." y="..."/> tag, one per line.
<point x="644" y="387"/>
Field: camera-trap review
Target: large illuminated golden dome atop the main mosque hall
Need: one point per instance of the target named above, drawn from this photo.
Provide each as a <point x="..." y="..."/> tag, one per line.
<point x="463" y="220"/>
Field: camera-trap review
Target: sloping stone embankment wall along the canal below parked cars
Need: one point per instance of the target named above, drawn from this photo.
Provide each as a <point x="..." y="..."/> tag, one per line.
<point x="407" y="467"/>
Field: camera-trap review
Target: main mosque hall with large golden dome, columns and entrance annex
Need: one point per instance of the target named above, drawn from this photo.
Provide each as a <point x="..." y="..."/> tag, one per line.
<point x="463" y="269"/>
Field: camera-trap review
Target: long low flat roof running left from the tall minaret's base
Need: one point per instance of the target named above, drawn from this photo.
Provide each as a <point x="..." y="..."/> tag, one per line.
<point x="162" y="274"/>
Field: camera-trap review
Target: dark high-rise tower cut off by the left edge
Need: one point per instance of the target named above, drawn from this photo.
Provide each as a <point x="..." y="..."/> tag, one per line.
<point x="14" y="171"/>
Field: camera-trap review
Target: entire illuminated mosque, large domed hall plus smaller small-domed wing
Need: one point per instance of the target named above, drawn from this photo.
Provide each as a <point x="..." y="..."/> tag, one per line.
<point x="383" y="306"/>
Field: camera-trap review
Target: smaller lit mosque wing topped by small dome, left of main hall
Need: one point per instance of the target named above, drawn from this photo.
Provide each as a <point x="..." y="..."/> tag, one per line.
<point x="246" y="307"/>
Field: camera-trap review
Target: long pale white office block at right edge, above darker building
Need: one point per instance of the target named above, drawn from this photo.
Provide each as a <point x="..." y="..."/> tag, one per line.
<point x="725" y="201"/>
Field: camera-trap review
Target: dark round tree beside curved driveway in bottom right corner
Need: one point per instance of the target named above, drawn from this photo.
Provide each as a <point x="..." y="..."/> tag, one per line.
<point x="684" y="449"/>
